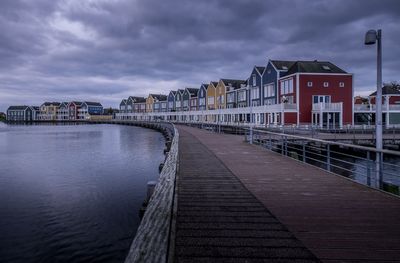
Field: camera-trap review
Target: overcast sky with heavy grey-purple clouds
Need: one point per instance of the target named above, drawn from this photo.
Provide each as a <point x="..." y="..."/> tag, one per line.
<point x="98" y="50"/>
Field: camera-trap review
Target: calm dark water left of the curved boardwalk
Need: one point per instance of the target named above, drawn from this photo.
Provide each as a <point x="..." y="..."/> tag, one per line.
<point x="71" y="193"/>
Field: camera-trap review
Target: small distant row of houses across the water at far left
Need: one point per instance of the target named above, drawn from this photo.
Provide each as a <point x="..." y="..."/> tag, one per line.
<point x="55" y="111"/>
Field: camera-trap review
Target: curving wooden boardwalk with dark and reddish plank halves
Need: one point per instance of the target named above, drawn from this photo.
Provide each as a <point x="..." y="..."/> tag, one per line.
<point x="241" y="203"/>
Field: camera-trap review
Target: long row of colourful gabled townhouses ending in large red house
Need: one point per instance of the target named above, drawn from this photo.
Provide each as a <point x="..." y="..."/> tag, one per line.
<point x="282" y="92"/>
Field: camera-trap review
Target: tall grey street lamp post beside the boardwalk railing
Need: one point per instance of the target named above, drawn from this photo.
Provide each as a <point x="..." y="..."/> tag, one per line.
<point x="371" y="37"/>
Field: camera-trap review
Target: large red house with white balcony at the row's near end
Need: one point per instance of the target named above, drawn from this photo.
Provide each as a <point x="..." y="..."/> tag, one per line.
<point x="321" y="92"/>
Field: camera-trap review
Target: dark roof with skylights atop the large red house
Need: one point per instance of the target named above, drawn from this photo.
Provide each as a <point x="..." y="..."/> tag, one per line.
<point x="314" y="67"/>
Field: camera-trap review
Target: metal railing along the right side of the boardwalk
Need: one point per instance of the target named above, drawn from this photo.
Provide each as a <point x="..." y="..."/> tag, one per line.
<point x="352" y="161"/>
